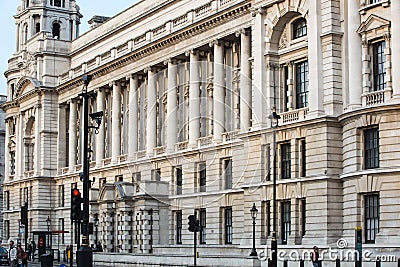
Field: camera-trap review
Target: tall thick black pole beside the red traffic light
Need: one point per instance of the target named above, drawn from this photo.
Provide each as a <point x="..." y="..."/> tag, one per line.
<point x="84" y="254"/>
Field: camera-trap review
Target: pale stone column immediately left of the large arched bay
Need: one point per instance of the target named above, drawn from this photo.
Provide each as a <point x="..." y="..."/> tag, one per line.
<point x="259" y="98"/>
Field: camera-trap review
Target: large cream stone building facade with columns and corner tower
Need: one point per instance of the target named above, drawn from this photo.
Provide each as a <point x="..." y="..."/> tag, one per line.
<point x="187" y="89"/>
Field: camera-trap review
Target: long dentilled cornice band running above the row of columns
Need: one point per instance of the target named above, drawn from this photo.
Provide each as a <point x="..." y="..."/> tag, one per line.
<point x="159" y="44"/>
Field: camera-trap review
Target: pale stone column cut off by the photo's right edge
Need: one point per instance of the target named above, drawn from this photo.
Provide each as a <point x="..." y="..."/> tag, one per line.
<point x="395" y="47"/>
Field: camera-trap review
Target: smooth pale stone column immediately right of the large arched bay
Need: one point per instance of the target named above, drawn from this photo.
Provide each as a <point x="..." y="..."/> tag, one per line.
<point x="316" y="92"/>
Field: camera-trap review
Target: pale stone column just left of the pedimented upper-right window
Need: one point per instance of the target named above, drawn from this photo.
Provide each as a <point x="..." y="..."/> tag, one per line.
<point x="354" y="47"/>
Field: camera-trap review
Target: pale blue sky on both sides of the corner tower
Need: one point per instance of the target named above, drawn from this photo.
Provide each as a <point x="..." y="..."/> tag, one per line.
<point x="89" y="8"/>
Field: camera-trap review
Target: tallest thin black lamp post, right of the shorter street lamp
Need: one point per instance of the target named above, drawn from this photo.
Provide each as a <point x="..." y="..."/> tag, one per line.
<point x="274" y="244"/>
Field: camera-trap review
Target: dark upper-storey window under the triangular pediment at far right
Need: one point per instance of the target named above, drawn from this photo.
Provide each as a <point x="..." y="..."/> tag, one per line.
<point x="379" y="60"/>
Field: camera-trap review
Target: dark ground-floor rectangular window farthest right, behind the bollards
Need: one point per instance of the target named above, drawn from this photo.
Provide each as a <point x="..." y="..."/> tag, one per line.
<point x="371" y="217"/>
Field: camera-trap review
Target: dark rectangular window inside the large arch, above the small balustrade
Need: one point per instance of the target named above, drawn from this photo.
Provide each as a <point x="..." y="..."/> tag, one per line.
<point x="302" y="84"/>
